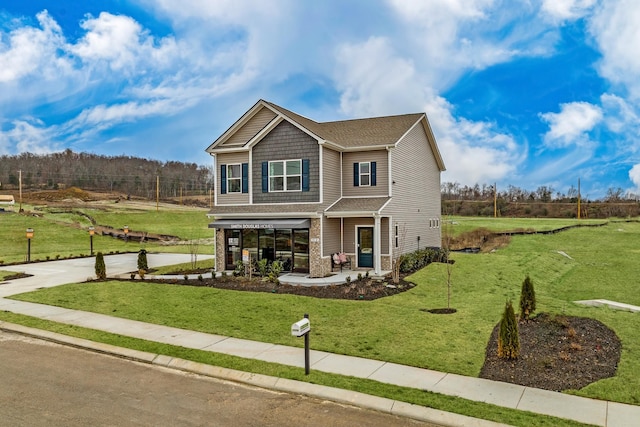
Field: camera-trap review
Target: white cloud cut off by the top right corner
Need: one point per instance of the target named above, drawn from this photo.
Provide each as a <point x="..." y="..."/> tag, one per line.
<point x="617" y="33"/>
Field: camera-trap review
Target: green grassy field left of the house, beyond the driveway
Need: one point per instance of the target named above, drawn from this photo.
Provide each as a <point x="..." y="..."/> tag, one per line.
<point x="64" y="232"/>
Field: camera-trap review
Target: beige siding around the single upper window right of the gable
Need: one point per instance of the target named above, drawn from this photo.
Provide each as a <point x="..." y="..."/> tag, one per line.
<point x="381" y="157"/>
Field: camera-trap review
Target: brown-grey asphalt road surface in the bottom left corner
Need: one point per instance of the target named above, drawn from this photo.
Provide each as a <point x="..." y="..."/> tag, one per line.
<point x="45" y="384"/>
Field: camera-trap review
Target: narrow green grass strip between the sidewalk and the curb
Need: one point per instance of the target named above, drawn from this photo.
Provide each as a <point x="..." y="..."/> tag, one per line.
<point x="418" y="397"/>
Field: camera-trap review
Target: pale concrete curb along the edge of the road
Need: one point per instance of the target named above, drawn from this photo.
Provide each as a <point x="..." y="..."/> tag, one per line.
<point x="347" y="397"/>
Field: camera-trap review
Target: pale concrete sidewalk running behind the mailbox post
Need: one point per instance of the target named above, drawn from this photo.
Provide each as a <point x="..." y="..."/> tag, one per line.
<point x="584" y="410"/>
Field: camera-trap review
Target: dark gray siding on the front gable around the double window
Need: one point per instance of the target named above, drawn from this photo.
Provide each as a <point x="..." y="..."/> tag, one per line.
<point x="286" y="142"/>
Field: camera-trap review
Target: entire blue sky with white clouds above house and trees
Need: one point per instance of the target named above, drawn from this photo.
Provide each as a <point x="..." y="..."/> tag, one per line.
<point x="525" y="93"/>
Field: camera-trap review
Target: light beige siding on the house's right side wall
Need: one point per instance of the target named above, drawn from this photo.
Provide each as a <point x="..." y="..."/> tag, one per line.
<point x="415" y="192"/>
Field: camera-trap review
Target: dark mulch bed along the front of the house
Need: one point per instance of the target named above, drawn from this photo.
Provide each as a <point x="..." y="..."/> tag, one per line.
<point x="365" y="289"/>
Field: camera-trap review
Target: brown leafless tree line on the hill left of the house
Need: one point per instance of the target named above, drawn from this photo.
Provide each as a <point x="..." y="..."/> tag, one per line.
<point x="124" y="174"/>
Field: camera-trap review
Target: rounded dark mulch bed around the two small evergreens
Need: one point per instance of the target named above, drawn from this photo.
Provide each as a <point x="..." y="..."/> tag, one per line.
<point x="556" y="353"/>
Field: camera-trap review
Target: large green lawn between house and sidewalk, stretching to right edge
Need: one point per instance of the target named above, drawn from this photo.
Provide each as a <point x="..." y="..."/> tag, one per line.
<point x="581" y="263"/>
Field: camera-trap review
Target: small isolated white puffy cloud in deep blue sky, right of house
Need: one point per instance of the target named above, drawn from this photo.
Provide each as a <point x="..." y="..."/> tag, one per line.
<point x="571" y="124"/>
